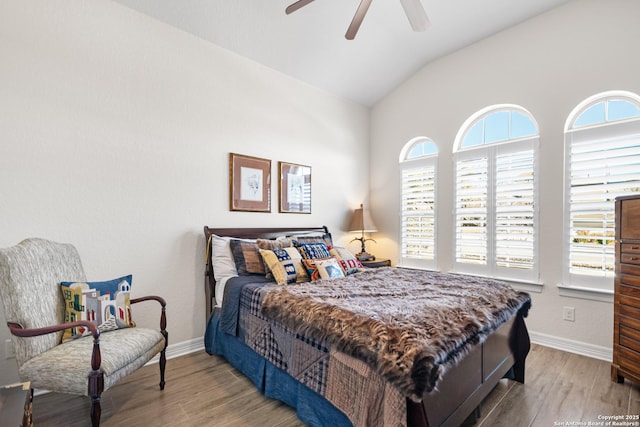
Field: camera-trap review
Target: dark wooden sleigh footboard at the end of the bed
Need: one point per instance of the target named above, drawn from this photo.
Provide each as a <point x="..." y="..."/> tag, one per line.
<point x="464" y="387"/>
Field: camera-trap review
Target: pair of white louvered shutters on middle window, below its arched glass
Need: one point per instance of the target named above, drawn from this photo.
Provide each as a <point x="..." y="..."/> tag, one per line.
<point x="495" y="211"/>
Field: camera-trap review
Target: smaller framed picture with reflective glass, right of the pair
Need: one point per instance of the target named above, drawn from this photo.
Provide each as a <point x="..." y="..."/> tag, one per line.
<point x="295" y="188"/>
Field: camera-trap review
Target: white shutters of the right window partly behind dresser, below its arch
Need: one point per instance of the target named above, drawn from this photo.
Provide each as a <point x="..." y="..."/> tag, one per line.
<point x="604" y="162"/>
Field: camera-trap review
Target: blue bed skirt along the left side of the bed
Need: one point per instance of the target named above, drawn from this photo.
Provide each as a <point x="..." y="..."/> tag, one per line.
<point x="311" y="408"/>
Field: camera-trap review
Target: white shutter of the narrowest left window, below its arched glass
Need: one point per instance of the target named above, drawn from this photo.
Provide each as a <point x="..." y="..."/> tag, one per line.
<point x="418" y="215"/>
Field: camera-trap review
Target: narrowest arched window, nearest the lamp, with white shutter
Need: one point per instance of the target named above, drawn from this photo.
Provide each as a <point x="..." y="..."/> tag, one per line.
<point x="418" y="160"/>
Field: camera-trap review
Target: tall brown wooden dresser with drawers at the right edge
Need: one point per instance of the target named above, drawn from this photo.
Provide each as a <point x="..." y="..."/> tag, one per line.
<point x="626" y="307"/>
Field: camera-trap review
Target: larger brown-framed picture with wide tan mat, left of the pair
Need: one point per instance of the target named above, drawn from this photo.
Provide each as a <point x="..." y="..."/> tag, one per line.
<point x="249" y="183"/>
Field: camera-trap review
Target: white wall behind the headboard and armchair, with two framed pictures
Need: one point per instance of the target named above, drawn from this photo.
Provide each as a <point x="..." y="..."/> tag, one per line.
<point x="115" y="132"/>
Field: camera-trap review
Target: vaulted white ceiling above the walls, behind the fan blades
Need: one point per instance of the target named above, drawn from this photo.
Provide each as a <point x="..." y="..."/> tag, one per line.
<point x="309" y="45"/>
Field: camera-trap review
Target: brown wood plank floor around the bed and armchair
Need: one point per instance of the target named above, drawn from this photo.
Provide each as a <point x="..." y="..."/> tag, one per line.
<point x="205" y="390"/>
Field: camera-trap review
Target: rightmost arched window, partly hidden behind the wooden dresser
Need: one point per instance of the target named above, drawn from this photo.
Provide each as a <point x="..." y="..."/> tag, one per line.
<point x="602" y="162"/>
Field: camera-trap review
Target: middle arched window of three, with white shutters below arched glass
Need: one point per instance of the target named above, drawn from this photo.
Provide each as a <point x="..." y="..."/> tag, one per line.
<point x="496" y="192"/>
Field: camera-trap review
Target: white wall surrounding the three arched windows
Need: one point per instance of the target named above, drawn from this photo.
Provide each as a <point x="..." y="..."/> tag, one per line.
<point x="548" y="65"/>
